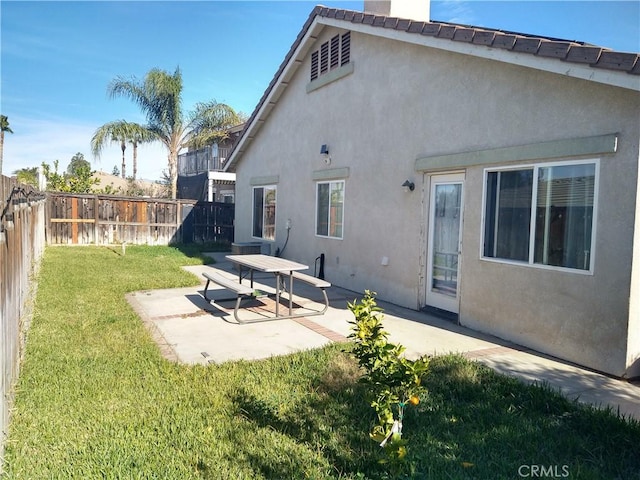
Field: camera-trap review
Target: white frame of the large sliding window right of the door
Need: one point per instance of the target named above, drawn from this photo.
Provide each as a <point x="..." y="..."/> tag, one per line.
<point x="534" y="202"/>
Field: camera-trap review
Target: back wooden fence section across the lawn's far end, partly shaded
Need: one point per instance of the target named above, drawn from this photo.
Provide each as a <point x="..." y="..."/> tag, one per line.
<point x="107" y="219"/>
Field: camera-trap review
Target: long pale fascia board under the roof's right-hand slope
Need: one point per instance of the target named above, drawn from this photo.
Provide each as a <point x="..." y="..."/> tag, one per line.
<point x="584" y="72"/>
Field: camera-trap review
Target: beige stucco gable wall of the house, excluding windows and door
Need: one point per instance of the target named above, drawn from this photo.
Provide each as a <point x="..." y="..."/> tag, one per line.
<point x="403" y="101"/>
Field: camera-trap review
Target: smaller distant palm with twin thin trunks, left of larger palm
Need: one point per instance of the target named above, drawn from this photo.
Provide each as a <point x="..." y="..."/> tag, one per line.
<point x="121" y="131"/>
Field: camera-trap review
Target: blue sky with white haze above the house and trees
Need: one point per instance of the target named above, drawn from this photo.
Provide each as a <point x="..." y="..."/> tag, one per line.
<point x="57" y="58"/>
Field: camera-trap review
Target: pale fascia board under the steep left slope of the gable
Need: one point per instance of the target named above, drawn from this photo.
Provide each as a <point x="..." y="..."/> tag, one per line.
<point x="278" y="87"/>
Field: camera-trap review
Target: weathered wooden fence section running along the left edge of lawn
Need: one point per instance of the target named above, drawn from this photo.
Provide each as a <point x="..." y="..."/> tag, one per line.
<point x="22" y="241"/>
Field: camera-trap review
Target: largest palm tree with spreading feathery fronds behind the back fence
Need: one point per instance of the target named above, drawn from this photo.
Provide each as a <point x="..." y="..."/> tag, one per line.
<point x="159" y="96"/>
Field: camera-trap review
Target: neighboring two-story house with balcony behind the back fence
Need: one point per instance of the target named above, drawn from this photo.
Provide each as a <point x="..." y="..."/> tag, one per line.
<point x="200" y="175"/>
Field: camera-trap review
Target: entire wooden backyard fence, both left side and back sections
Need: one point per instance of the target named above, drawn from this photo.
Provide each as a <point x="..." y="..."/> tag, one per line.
<point x="29" y="219"/>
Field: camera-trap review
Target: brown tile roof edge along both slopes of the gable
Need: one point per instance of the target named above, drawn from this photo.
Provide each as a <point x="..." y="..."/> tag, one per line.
<point x="571" y="51"/>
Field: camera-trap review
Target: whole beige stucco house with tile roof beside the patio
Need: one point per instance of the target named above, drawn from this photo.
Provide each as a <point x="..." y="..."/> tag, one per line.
<point x="489" y="174"/>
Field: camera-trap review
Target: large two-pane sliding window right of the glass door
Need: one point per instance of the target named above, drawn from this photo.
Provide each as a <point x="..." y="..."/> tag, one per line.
<point x="543" y="214"/>
